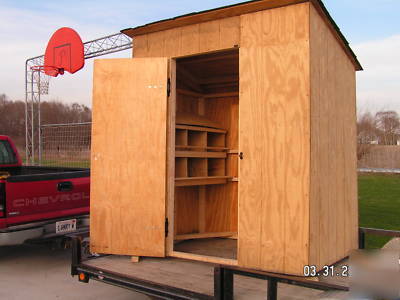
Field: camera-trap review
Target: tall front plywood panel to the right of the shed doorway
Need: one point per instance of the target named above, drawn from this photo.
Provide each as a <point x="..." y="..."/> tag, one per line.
<point x="274" y="137"/>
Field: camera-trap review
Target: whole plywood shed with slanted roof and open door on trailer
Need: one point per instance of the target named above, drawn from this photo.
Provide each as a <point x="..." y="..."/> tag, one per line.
<point x="229" y="137"/>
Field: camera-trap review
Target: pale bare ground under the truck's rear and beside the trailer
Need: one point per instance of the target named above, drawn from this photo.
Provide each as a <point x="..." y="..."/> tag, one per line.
<point x="37" y="272"/>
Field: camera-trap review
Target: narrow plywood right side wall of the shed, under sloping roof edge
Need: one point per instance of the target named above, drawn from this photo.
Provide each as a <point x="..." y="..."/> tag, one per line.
<point x="333" y="194"/>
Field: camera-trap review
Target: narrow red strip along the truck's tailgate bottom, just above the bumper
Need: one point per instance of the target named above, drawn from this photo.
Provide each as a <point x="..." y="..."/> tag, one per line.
<point x="43" y="216"/>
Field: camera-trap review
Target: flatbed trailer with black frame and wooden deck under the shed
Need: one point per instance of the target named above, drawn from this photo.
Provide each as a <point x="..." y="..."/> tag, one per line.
<point x="176" y="278"/>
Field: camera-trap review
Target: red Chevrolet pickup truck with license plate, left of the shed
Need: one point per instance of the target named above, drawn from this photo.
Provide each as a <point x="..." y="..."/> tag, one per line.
<point x="40" y="202"/>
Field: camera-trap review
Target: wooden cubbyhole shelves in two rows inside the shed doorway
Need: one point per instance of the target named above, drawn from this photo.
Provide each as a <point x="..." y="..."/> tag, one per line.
<point x="200" y="155"/>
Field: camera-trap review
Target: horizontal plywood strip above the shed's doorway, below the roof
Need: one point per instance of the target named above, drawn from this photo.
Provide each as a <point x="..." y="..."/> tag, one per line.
<point x="188" y="40"/>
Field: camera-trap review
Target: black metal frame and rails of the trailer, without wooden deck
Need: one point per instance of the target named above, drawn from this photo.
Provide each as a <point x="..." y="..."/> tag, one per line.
<point x="223" y="280"/>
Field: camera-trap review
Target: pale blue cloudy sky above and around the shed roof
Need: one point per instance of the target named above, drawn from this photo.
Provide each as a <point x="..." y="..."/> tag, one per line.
<point x="372" y="28"/>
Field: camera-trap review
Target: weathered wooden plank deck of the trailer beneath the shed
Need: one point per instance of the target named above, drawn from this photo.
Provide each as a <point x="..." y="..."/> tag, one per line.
<point x="195" y="276"/>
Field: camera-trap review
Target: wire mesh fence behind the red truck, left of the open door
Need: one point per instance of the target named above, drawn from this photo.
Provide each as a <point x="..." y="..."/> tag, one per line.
<point x="65" y="145"/>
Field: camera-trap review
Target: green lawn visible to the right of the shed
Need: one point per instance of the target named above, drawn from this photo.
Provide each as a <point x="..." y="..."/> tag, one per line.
<point x="379" y="204"/>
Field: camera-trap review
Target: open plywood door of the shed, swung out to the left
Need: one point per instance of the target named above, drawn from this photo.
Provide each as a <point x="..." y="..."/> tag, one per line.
<point x="129" y="140"/>
